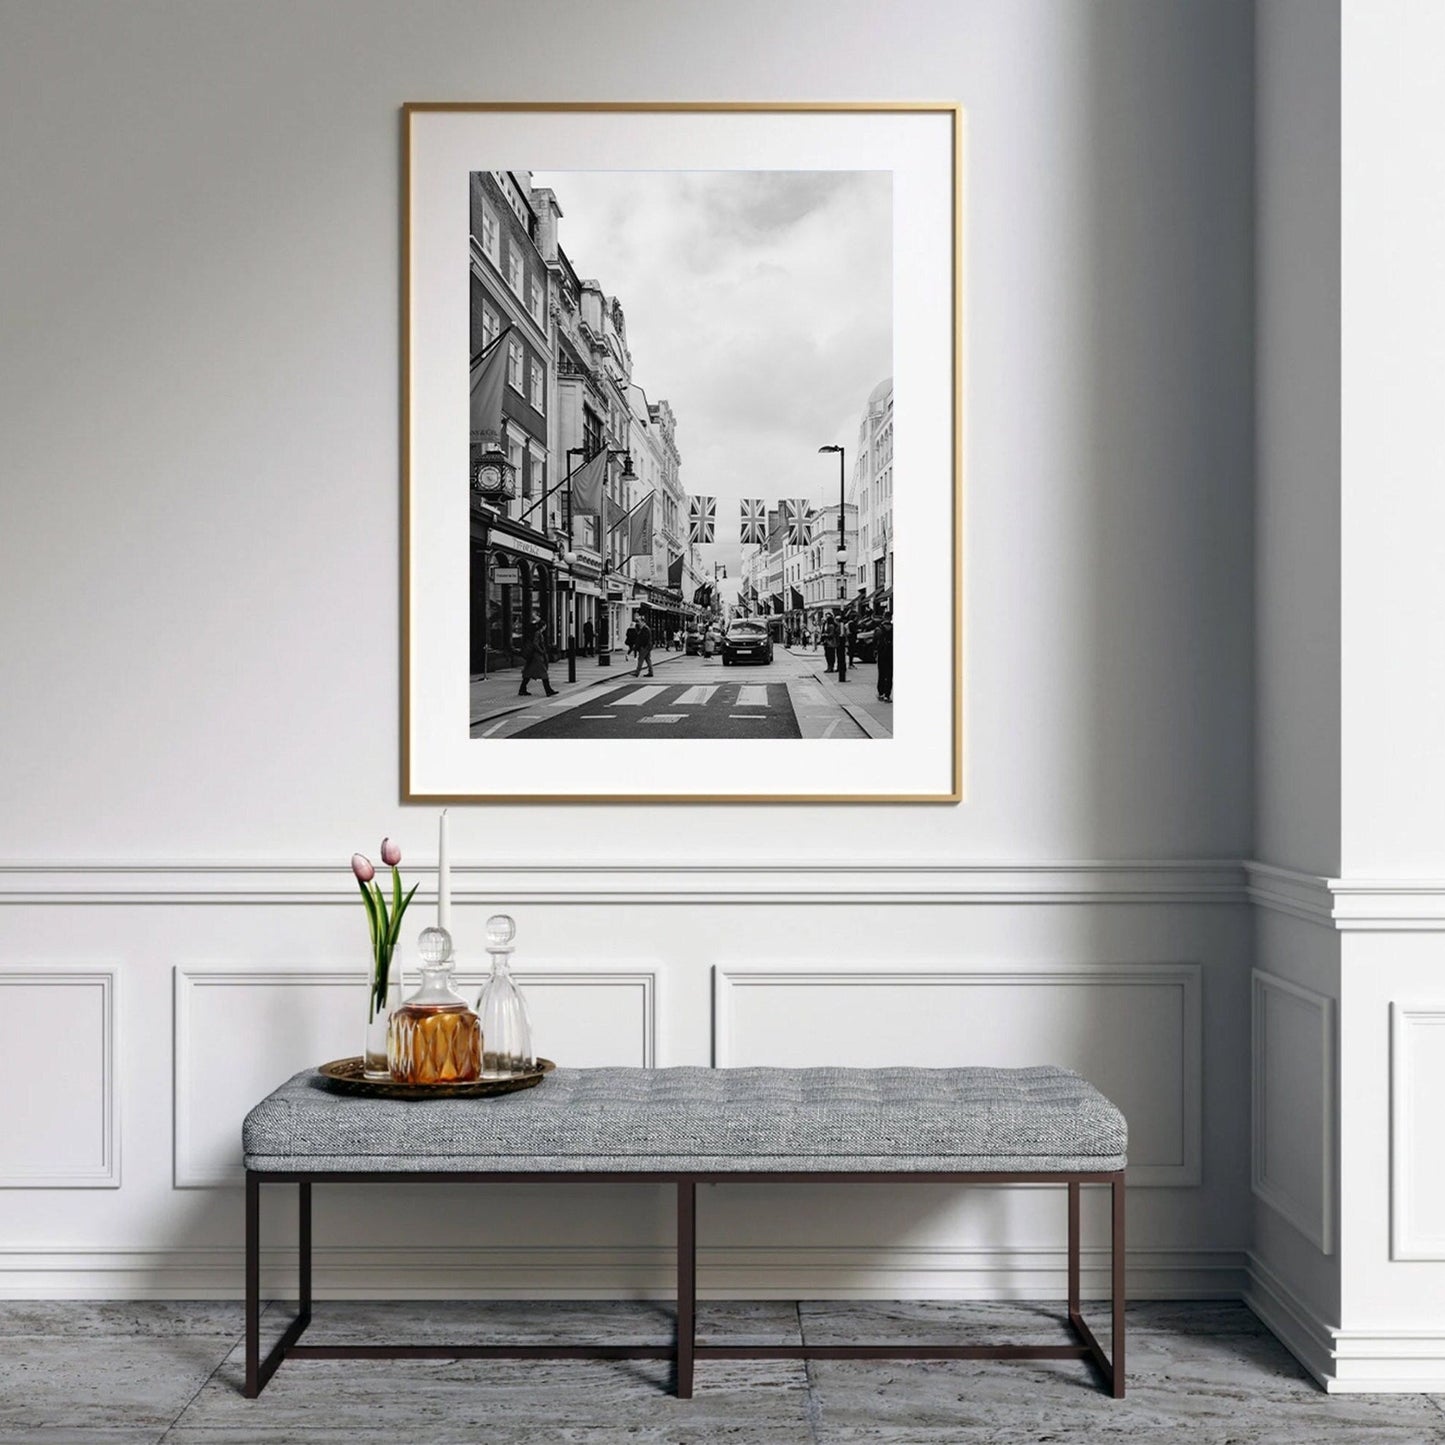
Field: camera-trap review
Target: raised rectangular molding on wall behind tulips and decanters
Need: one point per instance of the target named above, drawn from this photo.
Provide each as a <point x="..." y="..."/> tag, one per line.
<point x="189" y="1174"/>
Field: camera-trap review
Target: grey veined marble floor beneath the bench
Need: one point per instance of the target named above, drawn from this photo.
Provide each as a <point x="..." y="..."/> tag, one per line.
<point x="74" y="1373"/>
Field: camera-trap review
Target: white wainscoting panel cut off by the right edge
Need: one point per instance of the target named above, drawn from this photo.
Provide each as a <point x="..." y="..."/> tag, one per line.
<point x="1417" y="1160"/>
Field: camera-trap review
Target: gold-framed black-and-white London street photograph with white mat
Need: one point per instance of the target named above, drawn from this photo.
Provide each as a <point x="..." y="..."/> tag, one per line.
<point x="683" y="453"/>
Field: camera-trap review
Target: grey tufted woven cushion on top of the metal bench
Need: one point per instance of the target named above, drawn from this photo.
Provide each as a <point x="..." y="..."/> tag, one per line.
<point x="706" y="1121"/>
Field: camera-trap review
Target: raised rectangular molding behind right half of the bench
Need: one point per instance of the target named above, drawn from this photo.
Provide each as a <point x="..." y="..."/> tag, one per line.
<point x="728" y="979"/>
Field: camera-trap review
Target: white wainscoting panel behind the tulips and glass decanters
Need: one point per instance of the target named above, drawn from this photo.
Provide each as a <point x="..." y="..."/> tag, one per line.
<point x="587" y="1018"/>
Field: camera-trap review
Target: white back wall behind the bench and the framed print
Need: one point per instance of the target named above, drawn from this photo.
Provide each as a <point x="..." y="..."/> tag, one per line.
<point x="199" y="576"/>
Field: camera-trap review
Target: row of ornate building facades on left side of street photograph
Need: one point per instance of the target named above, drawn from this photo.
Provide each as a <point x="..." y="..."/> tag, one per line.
<point x="569" y="395"/>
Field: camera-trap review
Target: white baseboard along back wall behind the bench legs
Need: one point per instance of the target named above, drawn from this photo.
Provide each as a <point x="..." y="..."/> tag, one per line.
<point x="587" y="1272"/>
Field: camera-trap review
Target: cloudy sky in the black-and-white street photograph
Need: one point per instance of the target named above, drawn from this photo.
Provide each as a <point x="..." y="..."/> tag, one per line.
<point x="758" y="303"/>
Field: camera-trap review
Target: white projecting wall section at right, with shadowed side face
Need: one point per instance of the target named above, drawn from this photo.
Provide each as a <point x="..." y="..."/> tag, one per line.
<point x="1352" y="592"/>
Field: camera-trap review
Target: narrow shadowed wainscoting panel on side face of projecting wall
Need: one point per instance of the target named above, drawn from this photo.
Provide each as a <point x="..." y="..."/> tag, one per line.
<point x="1294" y="1106"/>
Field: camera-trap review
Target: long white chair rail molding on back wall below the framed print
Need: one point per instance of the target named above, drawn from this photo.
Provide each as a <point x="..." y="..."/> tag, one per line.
<point x="1220" y="881"/>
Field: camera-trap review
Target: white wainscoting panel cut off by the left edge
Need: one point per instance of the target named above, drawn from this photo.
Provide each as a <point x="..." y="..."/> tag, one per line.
<point x="61" y="1126"/>
